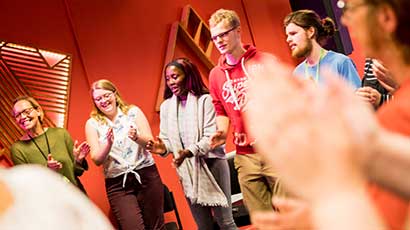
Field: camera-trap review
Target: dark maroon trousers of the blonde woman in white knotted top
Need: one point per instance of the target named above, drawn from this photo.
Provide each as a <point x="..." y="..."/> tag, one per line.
<point x="137" y="206"/>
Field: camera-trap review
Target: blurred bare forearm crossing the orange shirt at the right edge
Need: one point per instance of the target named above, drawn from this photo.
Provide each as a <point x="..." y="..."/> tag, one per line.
<point x="390" y="164"/>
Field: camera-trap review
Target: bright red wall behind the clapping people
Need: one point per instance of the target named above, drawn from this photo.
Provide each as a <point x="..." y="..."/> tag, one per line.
<point x="125" y="41"/>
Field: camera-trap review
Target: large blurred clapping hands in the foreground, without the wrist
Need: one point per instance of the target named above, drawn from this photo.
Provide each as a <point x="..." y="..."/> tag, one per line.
<point x="316" y="133"/>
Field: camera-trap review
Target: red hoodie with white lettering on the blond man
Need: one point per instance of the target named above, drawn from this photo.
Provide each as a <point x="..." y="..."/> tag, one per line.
<point x="230" y="97"/>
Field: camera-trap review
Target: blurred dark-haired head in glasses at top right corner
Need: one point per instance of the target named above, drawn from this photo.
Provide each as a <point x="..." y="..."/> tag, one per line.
<point x="379" y="26"/>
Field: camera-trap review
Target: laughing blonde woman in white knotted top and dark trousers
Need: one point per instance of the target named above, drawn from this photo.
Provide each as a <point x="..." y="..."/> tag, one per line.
<point x="117" y="133"/>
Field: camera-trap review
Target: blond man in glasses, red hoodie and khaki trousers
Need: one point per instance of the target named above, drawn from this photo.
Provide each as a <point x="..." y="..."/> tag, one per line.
<point x="228" y="87"/>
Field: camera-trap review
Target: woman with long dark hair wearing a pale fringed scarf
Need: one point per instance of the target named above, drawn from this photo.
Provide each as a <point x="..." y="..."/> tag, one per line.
<point x="187" y="121"/>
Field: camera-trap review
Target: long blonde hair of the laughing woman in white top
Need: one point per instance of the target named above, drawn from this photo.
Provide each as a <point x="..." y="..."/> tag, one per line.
<point x="107" y="85"/>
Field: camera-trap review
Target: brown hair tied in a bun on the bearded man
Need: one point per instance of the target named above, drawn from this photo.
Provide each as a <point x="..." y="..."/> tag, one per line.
<point x="324" y="28"/>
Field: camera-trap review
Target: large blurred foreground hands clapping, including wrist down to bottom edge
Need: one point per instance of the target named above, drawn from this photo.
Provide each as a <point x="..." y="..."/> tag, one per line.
<point x="319" y="140"/>
